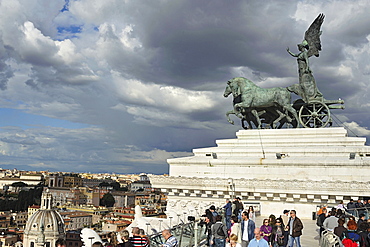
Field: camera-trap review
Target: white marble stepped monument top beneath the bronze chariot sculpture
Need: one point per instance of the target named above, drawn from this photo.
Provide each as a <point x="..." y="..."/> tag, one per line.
<point x="272" y="169"/>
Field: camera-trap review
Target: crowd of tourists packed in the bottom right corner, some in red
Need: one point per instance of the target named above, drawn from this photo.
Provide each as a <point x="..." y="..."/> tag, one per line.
<point x="350" y="231"/>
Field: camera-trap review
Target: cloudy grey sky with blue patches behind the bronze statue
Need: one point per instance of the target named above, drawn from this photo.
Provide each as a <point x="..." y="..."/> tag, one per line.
<point x="120" y="86"/>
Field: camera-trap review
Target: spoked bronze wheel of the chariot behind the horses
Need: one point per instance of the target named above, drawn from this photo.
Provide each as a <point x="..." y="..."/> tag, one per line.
<point x="315" y="114"/>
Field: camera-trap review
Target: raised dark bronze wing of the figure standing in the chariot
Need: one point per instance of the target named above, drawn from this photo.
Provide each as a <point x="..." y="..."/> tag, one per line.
<point x="312" y="36"/>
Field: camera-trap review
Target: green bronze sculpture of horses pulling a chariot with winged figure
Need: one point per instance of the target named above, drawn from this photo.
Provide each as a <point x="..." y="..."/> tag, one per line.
<point x="272" y="108"/>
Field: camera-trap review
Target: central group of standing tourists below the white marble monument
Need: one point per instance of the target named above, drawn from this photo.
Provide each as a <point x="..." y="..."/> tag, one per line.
<point x="239" y="228"/>
